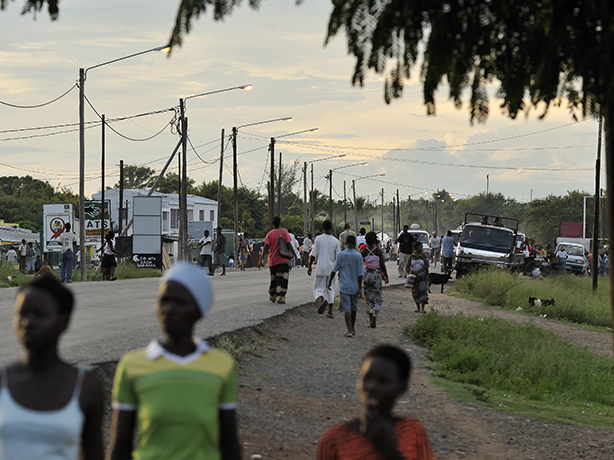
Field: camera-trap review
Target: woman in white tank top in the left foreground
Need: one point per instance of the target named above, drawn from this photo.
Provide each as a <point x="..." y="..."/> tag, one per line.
<point x="49" y="410"/>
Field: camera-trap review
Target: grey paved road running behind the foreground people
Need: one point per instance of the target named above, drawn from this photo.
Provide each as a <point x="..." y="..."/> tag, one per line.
<point x="113" y="318"/>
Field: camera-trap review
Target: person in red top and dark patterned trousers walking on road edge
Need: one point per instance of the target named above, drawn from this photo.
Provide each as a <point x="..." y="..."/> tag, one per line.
<point x="279" y="265"/>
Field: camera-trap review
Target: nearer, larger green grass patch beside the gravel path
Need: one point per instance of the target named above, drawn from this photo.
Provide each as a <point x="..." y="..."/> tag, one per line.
<point x="518" y="368"/>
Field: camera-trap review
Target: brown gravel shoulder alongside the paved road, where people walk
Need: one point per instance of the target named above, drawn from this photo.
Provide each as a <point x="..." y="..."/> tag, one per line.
<point x="299" y="378"/>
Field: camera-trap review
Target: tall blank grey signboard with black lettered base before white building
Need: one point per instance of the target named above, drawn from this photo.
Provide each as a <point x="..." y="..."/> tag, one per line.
<point x="147" y="233"/>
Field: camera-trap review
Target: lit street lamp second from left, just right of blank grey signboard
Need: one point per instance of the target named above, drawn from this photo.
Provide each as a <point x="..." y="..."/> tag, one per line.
<point x="183" y="192"/>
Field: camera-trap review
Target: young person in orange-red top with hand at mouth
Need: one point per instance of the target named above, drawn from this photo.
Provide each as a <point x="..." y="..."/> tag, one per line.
<point x="377" y="433"/>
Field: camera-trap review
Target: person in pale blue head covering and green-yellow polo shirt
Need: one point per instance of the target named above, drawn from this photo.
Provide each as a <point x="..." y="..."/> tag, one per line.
<point x="180" y="389"/>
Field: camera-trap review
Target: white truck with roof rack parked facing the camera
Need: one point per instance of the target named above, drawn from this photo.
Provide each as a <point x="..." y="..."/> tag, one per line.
<point x="488" y="241"/>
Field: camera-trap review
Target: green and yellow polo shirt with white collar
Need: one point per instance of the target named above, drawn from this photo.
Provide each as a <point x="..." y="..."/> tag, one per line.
<point x="177" y="400"/>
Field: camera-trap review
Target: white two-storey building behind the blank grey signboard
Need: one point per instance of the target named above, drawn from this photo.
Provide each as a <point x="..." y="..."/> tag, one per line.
<point x="199" y="209"/>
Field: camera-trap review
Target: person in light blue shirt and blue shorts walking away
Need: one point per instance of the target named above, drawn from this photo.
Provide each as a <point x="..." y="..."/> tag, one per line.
<point x="350" y="266"/>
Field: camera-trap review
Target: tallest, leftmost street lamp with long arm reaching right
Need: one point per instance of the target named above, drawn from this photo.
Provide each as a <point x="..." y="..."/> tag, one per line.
<point x="82" y="78"/>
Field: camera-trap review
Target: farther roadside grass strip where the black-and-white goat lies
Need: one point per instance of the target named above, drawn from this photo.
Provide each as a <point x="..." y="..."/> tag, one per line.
<point x="575" y="300"/>
